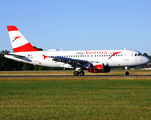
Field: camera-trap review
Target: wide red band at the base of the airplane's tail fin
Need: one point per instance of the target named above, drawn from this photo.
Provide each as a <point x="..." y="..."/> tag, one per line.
<point x="25" y="48"/>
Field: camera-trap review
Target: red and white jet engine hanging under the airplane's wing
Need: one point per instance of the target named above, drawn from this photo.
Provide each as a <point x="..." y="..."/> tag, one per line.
<point x="98" y="68"/>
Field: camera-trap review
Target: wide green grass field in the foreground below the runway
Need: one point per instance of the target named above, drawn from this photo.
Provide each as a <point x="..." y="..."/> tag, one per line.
<point x="76" y="99"/>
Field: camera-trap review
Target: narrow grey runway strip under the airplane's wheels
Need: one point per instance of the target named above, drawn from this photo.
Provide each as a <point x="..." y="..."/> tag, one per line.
<point x="70" y="76"/>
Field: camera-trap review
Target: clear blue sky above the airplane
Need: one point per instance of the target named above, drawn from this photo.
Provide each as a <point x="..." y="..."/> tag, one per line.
<point x="79" y="24"/>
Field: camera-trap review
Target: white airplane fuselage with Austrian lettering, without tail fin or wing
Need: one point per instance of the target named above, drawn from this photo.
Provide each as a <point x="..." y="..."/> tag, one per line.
<point x="111" y="58"/>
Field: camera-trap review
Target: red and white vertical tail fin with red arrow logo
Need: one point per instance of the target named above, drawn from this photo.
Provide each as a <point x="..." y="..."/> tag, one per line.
<point x="18" y="41"/>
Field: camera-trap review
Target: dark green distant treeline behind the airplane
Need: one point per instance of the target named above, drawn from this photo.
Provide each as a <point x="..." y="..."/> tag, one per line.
<point x="8" y="64"/>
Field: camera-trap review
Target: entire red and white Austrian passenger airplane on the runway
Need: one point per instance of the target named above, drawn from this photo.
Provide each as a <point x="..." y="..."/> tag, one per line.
<point x="95" y="61"/>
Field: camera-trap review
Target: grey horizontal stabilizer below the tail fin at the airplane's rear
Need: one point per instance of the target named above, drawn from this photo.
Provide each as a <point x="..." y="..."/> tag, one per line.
<point x="20" y="57"/>
